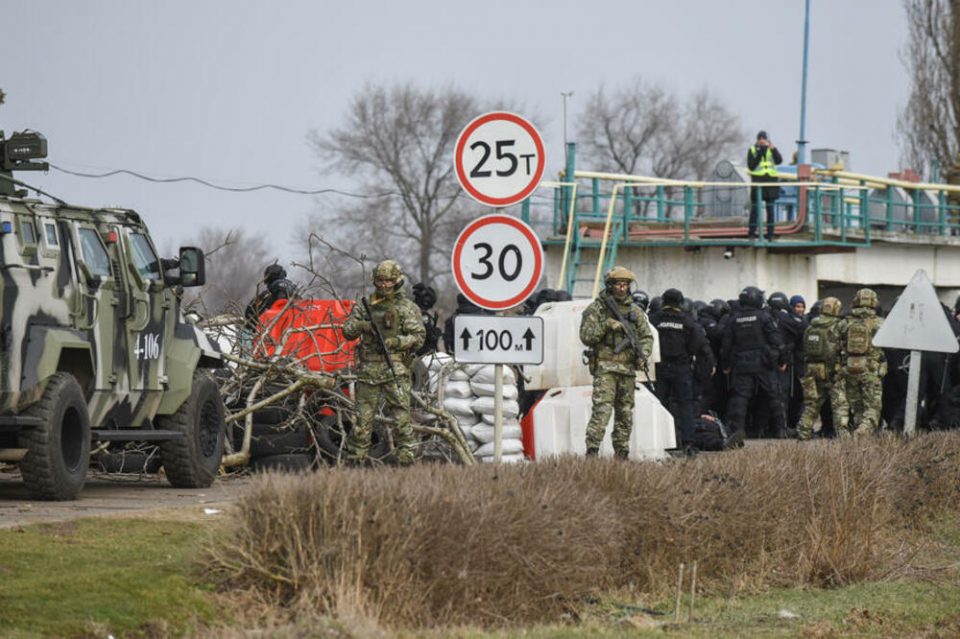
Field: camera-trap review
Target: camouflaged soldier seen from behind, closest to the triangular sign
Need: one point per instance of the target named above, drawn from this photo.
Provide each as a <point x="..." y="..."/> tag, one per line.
<point x="864" y="365"/>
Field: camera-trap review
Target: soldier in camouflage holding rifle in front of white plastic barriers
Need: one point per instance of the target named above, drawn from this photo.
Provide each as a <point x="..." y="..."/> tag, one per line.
<point x="613" y="360"/>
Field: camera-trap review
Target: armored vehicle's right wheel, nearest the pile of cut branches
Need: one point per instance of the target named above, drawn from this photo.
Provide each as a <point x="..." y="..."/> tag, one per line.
<point x="193" y="461"/>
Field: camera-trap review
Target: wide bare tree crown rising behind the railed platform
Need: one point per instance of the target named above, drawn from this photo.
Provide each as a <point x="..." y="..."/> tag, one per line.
<point x="645" y="129"/>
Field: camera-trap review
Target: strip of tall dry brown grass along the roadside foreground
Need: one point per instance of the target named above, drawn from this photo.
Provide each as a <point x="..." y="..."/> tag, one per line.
<point x="438" y="545"/>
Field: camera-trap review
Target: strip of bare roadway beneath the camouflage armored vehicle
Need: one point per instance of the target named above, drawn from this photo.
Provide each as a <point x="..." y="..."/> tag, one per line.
<point x="106" y="495"/>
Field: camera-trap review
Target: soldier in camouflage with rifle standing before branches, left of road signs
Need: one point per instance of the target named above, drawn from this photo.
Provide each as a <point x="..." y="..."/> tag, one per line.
<point x="399" y="322"/>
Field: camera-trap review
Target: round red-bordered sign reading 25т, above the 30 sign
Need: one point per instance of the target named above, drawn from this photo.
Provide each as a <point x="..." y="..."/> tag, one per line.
<point x="499" y="159"/>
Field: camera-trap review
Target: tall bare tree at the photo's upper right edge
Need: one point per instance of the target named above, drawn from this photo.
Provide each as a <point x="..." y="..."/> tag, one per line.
<point x="929" y="124"/>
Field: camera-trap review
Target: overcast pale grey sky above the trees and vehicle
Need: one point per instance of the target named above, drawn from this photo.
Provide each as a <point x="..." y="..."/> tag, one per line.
<point x="227" y="90"/>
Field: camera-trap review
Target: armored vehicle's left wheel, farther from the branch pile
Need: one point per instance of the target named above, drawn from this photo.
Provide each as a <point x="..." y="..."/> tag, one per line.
<point x="58" y="450"/>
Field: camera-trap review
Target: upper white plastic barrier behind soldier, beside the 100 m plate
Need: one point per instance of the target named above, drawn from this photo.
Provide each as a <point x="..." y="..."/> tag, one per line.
<point x="563" y="365"/>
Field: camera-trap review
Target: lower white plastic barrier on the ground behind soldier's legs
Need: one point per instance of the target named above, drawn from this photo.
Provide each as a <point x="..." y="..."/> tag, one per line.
<point x="560" y="425"/>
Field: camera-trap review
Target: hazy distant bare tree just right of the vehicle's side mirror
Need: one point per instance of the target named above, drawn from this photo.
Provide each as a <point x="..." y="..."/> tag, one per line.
<point x="234" y="264"/>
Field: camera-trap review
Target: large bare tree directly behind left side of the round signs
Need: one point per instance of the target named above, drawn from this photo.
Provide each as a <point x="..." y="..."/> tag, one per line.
<point x="398" y="142"/>
